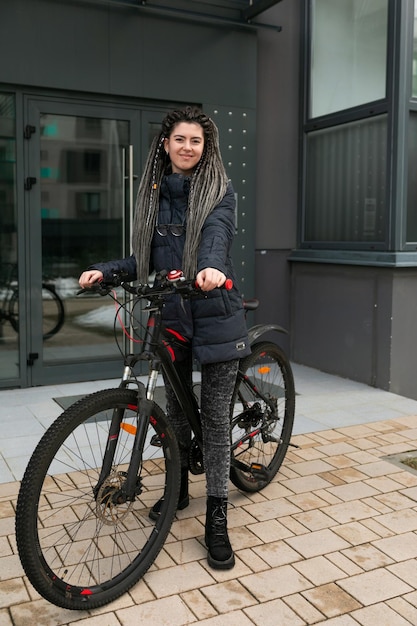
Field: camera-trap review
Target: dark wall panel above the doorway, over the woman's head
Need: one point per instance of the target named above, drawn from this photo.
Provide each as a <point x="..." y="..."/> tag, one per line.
<point x="152" y="58"/>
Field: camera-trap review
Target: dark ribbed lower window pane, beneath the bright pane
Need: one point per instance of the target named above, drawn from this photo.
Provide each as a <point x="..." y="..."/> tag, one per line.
<point x="345" y="197"/>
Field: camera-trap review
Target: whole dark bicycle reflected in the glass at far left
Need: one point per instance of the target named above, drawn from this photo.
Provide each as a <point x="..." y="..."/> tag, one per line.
<point x="53" y="312"/>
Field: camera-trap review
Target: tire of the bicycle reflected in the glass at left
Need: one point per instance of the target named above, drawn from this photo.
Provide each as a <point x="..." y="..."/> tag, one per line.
<point x="53" y="311"/>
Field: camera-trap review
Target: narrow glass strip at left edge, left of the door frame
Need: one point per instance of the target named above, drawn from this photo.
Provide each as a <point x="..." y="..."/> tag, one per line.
<point x="9" y="297"/>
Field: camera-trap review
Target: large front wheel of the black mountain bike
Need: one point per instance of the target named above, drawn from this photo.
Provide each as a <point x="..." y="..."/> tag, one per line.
<point x="81" y="551"/>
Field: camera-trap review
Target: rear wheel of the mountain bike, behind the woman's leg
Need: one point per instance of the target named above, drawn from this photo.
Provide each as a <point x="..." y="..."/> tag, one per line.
<point x="260" y="434"/>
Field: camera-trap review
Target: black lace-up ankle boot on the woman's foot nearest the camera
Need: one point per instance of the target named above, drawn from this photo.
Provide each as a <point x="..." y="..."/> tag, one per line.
<point x="220" y="554"/>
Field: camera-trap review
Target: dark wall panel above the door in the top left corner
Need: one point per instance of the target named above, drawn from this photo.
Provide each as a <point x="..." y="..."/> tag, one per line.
<point x="54" y="44"/>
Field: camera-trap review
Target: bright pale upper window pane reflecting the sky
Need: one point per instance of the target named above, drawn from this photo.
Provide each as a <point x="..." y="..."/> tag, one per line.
<point x="348" y="54"/>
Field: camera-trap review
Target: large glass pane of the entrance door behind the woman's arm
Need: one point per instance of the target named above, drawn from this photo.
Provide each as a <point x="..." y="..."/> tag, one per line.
<point x="79" y="196"/>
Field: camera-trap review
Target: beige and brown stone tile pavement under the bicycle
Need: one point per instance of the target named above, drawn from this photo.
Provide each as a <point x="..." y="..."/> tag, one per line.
<point x="333" y="539"/>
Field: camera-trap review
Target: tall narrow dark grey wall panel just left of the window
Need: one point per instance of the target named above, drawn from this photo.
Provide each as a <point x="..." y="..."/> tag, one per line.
<point x="277" y="129"/>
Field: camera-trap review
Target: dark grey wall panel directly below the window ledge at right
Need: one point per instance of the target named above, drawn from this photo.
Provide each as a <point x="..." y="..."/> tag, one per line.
<point x="341" y="321"/>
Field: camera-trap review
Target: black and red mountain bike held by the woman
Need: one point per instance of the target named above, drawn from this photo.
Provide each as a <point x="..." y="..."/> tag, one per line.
<point x="83" y="530"/>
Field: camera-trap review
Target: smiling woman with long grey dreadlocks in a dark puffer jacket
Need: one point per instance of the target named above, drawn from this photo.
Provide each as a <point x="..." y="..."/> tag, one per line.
<point x="185" y="219"/>
